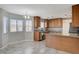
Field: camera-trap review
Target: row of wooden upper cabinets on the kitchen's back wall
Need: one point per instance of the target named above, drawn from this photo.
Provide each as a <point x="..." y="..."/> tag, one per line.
<point x="55" y="23"/>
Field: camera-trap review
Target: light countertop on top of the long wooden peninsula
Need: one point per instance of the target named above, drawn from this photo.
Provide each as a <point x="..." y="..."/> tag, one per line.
<point x="75" y="35"/>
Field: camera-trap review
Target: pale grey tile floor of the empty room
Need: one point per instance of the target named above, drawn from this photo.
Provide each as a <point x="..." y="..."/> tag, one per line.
<point x="30" y="48"/>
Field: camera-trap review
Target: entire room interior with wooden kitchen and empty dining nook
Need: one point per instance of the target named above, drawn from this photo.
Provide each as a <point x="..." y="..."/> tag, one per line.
<point x="27" y="27"/>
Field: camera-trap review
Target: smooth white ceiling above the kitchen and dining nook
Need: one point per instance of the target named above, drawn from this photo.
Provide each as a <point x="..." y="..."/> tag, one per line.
<point x="42" y="10"/>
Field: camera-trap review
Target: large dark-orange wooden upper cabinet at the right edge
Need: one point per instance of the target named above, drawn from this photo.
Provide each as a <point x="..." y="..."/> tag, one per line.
<point x="75" y="15"/>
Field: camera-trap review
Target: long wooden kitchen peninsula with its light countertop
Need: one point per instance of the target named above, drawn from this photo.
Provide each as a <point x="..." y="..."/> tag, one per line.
<point x="65" y="42"/>
